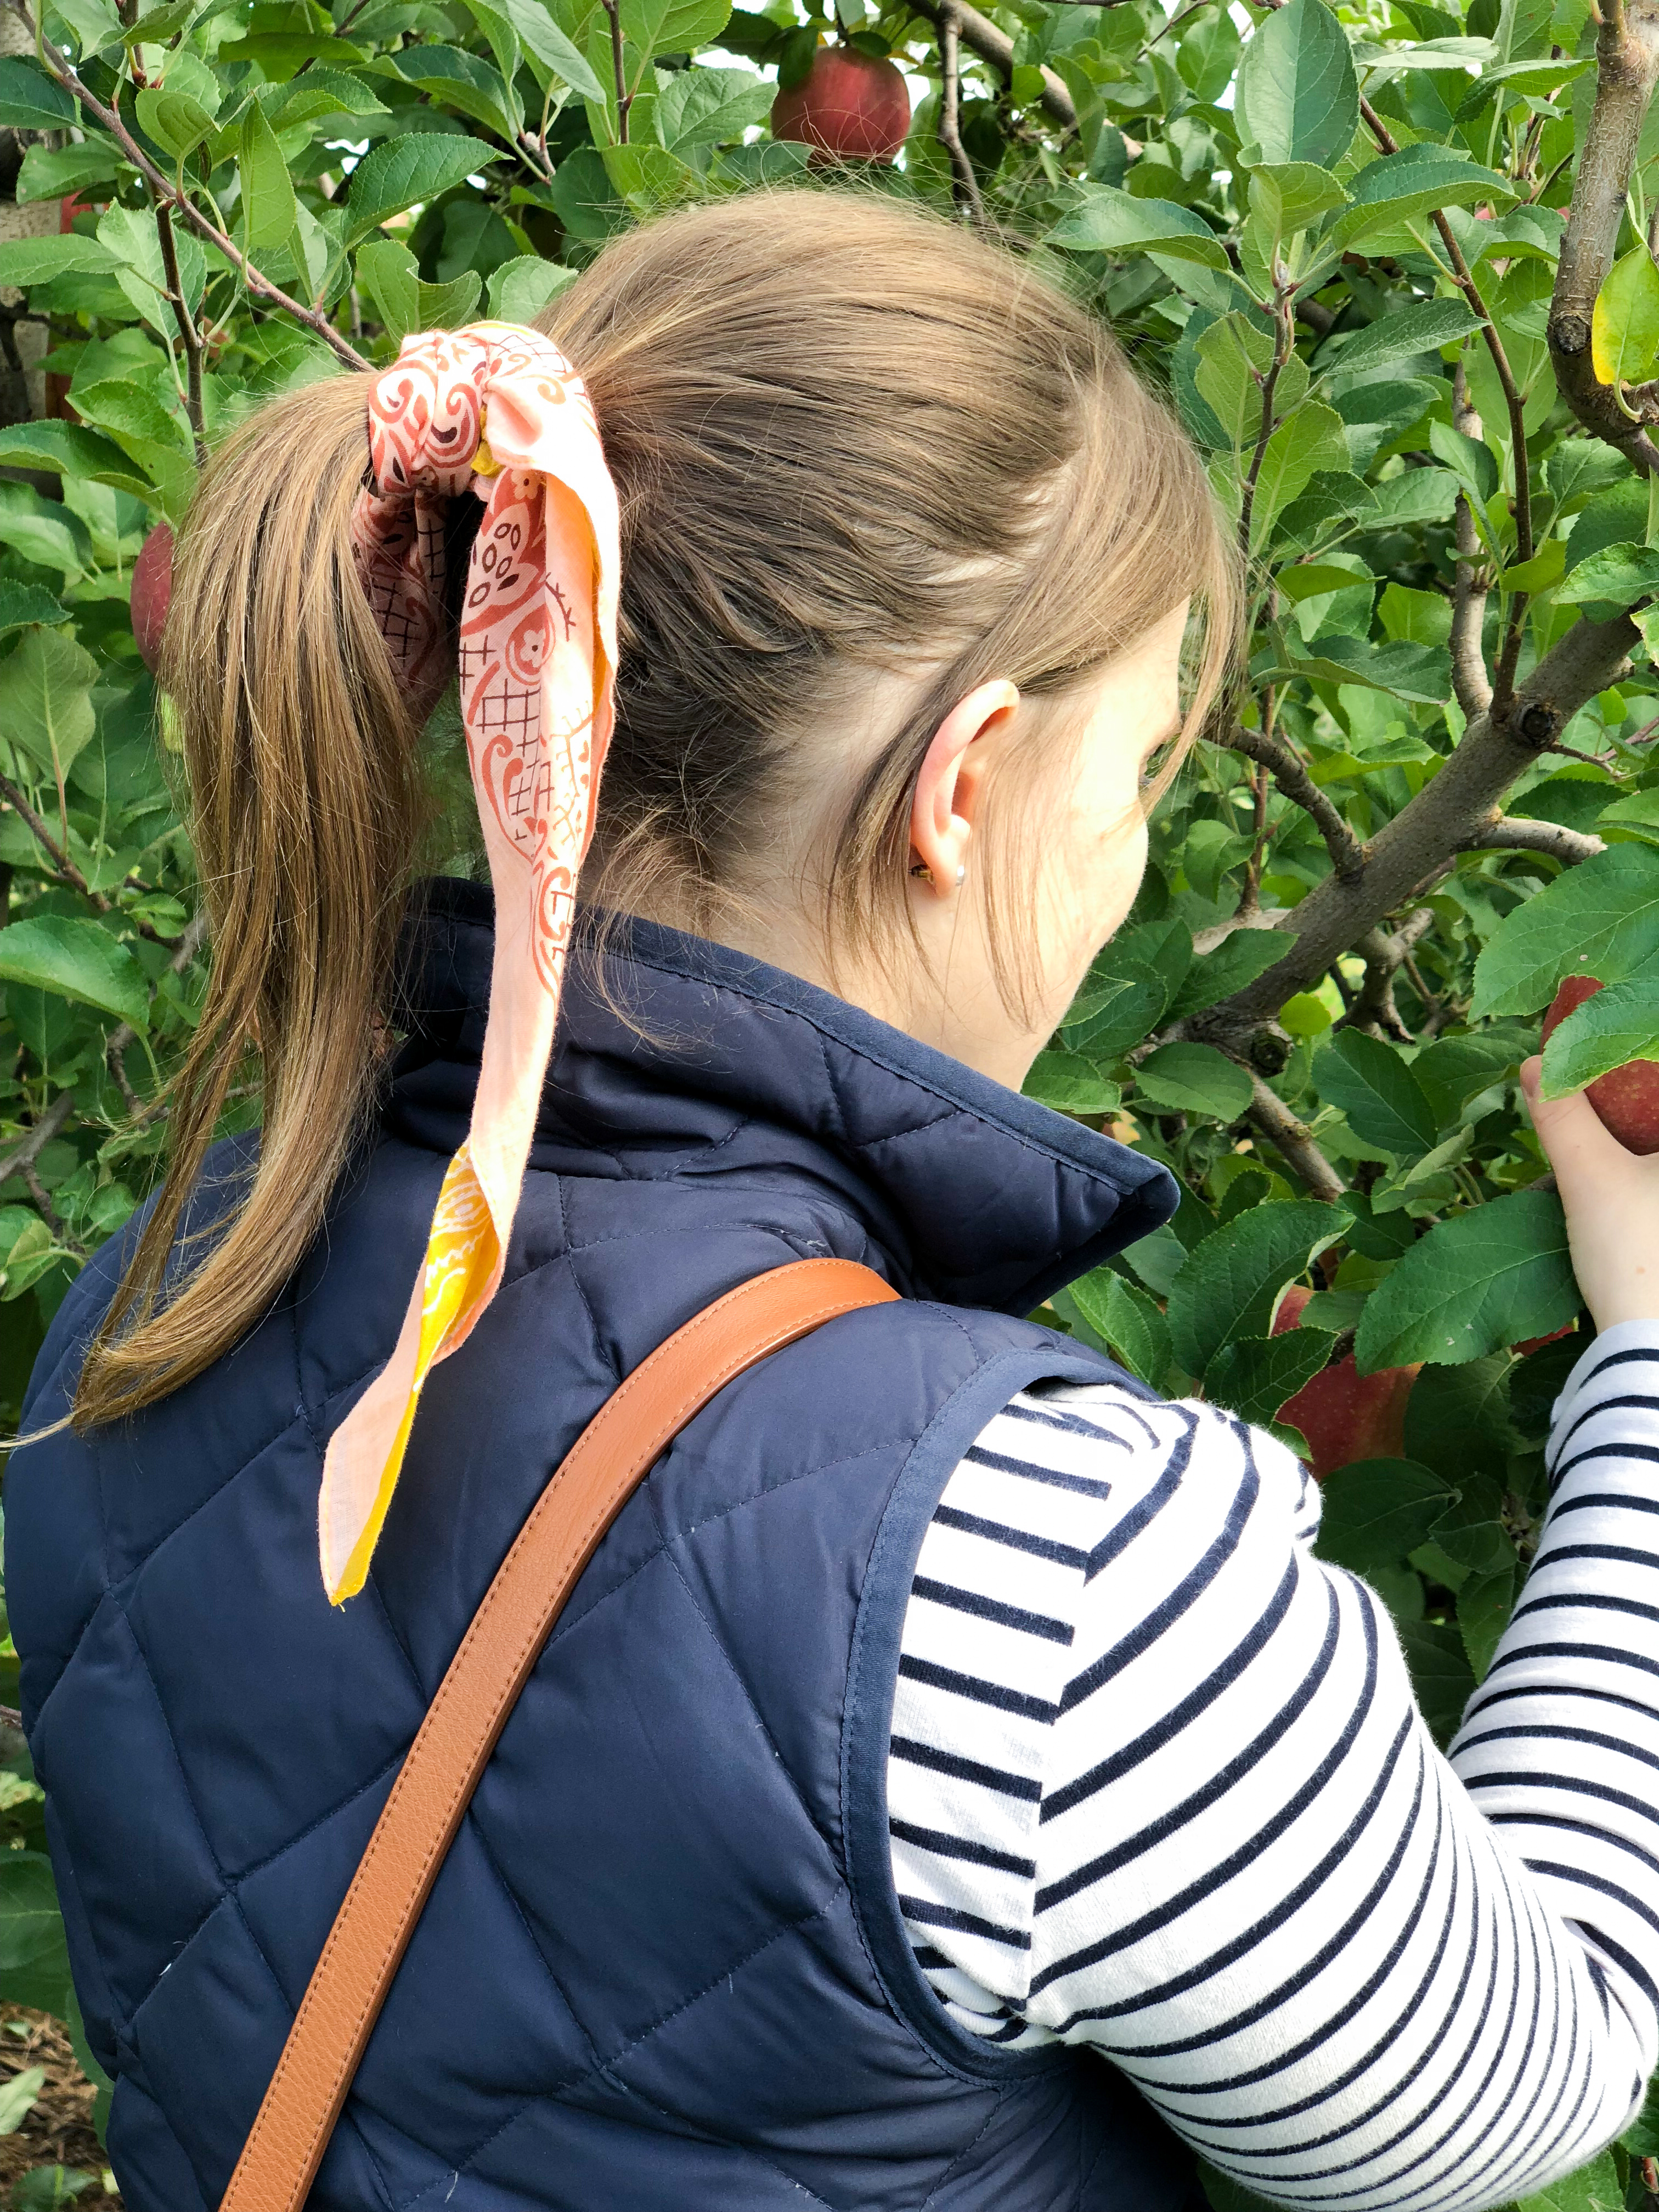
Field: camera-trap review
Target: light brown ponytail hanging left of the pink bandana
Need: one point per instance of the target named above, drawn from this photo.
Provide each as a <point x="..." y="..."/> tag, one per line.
<point x="306" y="817"/>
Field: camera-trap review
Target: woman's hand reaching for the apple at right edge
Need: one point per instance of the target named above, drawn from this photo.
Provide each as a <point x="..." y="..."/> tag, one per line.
<point x="1611" y="1204"/>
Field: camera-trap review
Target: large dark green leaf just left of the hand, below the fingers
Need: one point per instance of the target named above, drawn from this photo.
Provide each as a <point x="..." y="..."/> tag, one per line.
<point x="1477" y="1284"/>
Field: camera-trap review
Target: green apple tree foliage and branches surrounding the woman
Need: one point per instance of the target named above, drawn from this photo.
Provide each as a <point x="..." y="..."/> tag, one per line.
<point x="1392" y="262"/>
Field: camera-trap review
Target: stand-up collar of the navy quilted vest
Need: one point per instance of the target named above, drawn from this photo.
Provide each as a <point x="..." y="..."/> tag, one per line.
<point x="972" y="1193"/>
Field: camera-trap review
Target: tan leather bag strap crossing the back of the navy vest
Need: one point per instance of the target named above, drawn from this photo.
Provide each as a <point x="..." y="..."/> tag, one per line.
<point x="448" y="1757"/>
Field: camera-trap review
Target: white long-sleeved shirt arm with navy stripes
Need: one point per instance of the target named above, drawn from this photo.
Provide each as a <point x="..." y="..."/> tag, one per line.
<point x="1158" y="1784"/>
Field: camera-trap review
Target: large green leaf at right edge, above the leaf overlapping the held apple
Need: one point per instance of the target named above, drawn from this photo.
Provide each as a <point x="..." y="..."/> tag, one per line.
<point x="1598" y="919"/>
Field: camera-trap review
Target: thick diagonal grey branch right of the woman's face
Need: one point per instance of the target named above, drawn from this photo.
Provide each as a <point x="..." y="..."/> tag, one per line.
<point x="1415" y="846"/>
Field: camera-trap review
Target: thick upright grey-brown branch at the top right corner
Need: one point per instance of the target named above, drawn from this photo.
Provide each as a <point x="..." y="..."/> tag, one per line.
<point x="1627" y="70"/>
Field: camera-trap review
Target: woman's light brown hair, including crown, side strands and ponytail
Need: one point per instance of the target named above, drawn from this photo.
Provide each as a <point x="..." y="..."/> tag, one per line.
<point x="846" y="435"/>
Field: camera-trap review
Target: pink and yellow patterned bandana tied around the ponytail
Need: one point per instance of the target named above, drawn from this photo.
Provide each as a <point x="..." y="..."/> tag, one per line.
<point x="503" y="413"/>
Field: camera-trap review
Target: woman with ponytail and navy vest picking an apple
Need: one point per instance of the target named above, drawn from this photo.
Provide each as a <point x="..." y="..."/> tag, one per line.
<point x="954" y="1782"/>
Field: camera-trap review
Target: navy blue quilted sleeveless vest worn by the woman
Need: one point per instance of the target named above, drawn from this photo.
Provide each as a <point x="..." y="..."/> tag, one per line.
<point x="665" y="1968"/>
